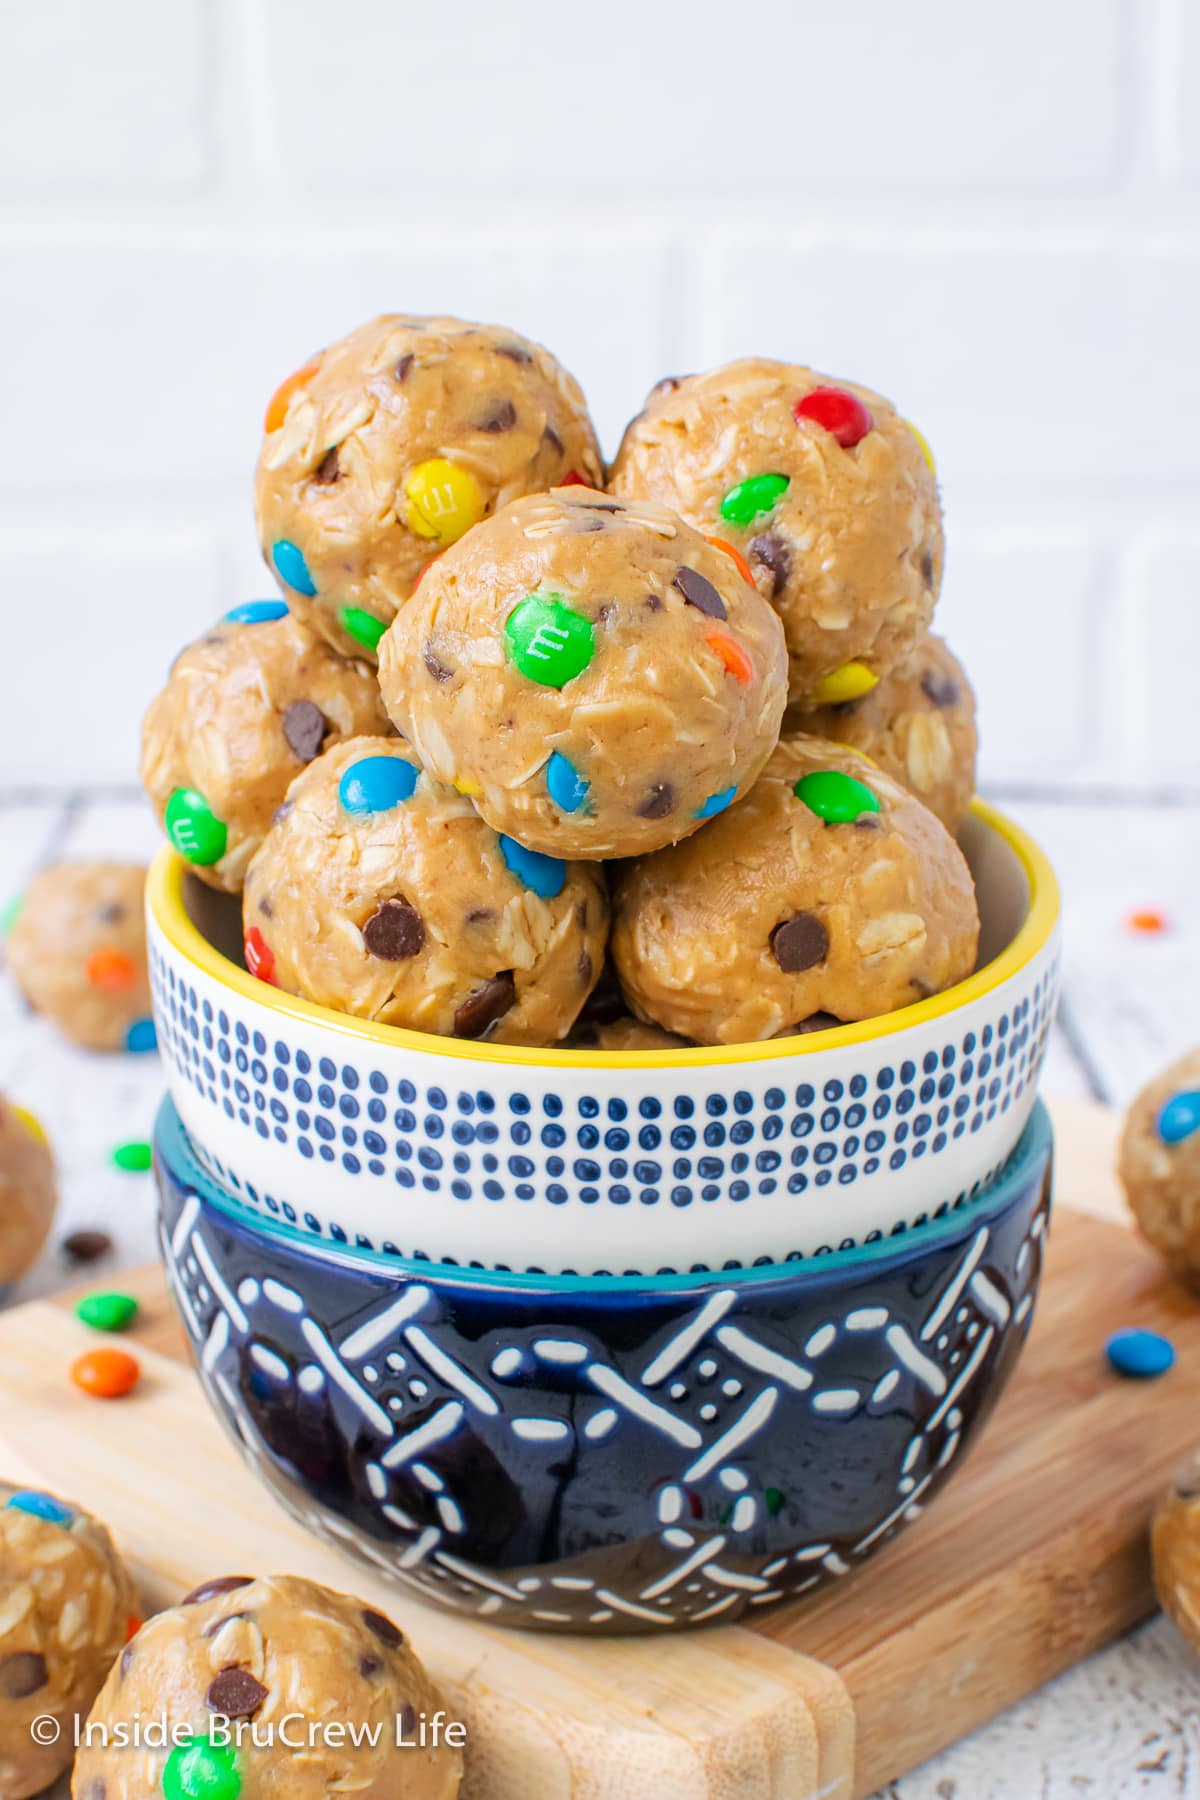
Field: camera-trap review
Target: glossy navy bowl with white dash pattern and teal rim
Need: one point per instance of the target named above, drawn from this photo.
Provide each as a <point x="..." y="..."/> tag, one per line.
<point x="605" y="1455"/>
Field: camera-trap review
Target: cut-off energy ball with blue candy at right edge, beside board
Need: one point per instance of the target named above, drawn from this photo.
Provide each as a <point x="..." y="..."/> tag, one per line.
<point x="1160" y="1165"/>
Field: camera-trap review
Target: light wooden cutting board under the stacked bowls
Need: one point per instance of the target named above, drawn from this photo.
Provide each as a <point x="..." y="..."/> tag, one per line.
<point x="1032" y="1560"/>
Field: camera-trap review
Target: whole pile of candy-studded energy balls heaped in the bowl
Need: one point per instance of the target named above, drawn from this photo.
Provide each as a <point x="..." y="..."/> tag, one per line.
<point x="542" y="753"/>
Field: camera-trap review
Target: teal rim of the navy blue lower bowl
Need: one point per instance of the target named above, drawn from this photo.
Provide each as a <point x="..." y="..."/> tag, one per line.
<point x="1026" y="1164"/>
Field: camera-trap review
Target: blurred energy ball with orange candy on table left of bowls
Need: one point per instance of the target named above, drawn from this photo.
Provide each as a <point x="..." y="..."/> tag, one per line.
<point x="78" y="953"/>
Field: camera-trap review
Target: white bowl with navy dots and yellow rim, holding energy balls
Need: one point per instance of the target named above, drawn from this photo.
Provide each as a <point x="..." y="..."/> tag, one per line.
<point x="589" y="1162"/>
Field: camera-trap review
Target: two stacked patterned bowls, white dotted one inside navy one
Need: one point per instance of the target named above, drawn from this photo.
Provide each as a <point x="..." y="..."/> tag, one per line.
<point x="607" y="1342"/>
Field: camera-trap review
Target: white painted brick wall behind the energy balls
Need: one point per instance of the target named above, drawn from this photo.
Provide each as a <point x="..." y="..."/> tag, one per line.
<point x="990" y="213"/>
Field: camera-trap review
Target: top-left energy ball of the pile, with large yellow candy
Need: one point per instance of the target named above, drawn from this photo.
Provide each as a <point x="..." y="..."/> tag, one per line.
<point x="391" y="445"/>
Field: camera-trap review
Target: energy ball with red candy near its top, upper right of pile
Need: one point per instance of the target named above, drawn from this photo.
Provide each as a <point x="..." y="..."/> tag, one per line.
<point x="825" y="490"/>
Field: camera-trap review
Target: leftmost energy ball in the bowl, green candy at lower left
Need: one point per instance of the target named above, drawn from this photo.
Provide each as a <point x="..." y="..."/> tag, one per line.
<point x="246" y="708"/>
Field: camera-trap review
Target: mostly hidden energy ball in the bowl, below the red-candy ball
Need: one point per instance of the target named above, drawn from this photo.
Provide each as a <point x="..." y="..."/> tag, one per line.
<point x="918" y="724"/>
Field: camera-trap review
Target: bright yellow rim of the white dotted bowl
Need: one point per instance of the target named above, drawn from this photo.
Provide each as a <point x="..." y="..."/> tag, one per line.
<point x="165" y="897"/>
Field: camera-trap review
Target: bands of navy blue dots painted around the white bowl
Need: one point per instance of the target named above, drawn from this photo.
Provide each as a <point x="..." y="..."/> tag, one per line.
<point x="697" y="1149"/>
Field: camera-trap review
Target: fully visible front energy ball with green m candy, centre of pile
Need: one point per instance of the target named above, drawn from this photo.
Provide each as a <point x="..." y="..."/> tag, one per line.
<point x="591" y="672"/>
